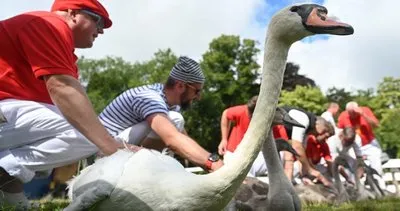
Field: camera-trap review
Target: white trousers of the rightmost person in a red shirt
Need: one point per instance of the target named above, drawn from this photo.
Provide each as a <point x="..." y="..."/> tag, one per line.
<point x="373" y="151"/>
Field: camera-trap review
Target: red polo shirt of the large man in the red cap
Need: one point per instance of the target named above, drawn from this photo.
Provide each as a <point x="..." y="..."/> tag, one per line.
<point x="33" y="45"/>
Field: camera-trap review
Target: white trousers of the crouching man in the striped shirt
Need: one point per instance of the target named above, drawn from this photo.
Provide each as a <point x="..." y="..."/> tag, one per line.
<point x="137" y="133"/>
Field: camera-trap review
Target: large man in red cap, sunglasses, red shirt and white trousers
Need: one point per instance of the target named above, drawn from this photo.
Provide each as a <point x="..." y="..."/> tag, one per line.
<point x="46" y="118"/>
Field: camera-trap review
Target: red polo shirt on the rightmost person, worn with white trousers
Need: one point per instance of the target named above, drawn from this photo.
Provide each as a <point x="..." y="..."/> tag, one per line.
<point x="360" y="124"/>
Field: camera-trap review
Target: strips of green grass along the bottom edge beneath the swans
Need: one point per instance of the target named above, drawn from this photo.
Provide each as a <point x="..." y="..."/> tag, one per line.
<point x="387" y="204"/>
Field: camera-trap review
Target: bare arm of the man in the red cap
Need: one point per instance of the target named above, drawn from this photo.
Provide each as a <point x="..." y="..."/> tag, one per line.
<point x="69" y="96"/>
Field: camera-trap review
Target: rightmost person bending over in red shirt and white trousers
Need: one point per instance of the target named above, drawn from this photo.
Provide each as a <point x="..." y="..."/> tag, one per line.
<point x="363" y="120"/>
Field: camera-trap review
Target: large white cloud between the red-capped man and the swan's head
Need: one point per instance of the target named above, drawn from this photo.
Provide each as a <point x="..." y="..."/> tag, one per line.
<point x="187" y="27"/>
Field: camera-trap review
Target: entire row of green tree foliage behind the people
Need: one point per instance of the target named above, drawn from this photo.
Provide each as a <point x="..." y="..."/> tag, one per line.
<point x="232" y="77"/>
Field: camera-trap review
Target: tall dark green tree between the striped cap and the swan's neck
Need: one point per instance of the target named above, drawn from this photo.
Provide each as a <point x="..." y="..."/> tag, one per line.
<point x="231" y="71"/>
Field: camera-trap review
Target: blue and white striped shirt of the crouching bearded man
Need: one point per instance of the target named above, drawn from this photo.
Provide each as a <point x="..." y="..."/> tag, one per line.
<point x="134" y="106"/>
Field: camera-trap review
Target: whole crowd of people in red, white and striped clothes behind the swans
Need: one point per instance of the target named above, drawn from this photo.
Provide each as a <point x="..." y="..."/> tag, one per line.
<point x="47" y="120"/>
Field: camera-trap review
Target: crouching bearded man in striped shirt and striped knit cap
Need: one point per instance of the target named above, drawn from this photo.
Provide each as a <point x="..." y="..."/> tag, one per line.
<point x="149" y="115"/>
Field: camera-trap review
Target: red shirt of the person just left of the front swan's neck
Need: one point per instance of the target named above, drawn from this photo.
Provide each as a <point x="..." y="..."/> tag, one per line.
<point x="240" y="116"/>
